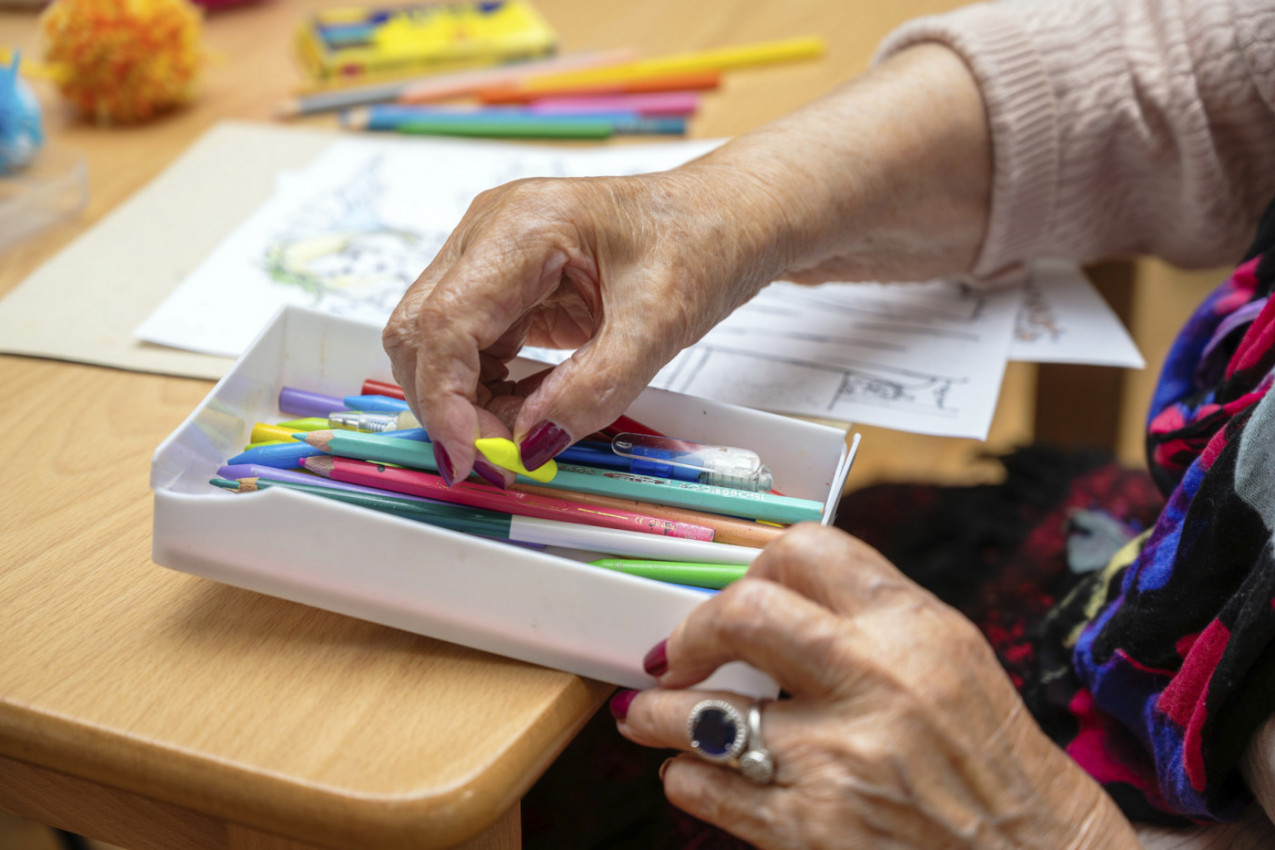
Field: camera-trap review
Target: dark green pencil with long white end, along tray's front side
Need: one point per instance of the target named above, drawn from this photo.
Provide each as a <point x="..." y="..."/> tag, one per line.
<point x="520" y="529"/>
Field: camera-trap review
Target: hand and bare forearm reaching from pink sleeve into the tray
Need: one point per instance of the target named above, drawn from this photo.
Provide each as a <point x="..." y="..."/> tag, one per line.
<point x="888" y="179"/>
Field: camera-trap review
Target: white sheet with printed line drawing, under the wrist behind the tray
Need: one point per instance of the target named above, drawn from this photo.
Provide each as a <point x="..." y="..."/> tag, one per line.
<point x="925" y="357"/>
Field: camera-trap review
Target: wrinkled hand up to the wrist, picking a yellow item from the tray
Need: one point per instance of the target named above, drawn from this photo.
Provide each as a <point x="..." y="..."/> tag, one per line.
<point x="629" y="270"/>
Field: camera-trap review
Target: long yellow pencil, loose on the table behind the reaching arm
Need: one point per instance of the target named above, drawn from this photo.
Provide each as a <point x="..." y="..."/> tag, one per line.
<point x="722" y="59"/>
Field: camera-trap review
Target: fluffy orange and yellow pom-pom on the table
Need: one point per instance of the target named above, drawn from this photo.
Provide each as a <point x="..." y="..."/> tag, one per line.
<point x="122" y="62"/>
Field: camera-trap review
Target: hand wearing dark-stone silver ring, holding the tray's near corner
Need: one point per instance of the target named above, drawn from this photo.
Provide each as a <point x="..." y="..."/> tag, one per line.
<point x="902" y="730"/>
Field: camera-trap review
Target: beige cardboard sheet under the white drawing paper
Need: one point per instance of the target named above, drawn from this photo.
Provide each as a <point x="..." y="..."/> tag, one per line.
<point x="85" y="304"/>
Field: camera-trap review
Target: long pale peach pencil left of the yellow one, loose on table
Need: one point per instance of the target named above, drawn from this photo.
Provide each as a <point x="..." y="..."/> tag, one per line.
<point x="437" y="87"/>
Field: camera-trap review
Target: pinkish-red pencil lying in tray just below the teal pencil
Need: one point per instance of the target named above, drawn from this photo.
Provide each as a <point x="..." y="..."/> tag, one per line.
<point x="493" y="499"/>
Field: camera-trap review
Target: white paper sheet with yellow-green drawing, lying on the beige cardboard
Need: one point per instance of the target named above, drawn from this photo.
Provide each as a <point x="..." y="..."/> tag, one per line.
<point x="356" y="227"/>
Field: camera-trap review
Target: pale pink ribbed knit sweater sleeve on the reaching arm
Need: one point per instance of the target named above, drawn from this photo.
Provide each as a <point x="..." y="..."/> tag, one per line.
<point x="1120" y="127"/>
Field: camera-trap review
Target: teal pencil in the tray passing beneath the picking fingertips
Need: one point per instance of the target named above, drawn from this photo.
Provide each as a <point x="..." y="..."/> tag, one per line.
<point x="585" y="480"/>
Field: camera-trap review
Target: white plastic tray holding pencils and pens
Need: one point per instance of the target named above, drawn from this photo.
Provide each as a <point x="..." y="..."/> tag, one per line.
<point x="539" y="607"/>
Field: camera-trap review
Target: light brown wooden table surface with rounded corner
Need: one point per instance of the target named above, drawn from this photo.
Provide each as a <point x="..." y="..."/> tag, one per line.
<point x="155" y="709"/>
